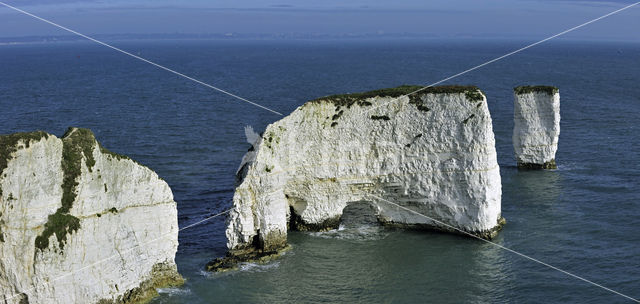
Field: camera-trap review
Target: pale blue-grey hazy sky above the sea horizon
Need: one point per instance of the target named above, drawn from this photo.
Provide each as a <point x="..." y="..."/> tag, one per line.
<point x="526" y="19"/>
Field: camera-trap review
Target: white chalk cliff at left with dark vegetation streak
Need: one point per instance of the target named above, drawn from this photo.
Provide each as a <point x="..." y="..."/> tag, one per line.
<point x="79" y="224"/>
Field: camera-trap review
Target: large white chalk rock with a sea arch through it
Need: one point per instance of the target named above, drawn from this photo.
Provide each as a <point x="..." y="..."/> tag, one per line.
<point x="433" y="153"/>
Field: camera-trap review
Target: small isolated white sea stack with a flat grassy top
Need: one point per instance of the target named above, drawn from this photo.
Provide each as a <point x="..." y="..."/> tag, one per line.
<point x="536" y="126"/>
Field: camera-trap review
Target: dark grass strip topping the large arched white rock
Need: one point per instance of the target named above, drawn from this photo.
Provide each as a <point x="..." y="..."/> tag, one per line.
<point x="472" y="93"/>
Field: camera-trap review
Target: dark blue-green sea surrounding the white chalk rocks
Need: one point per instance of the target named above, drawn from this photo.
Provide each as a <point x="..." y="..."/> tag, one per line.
<point x="583" y="218"/>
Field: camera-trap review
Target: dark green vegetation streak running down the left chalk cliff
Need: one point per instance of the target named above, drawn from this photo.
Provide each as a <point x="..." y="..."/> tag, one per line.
<point x="76" y="144"/>
